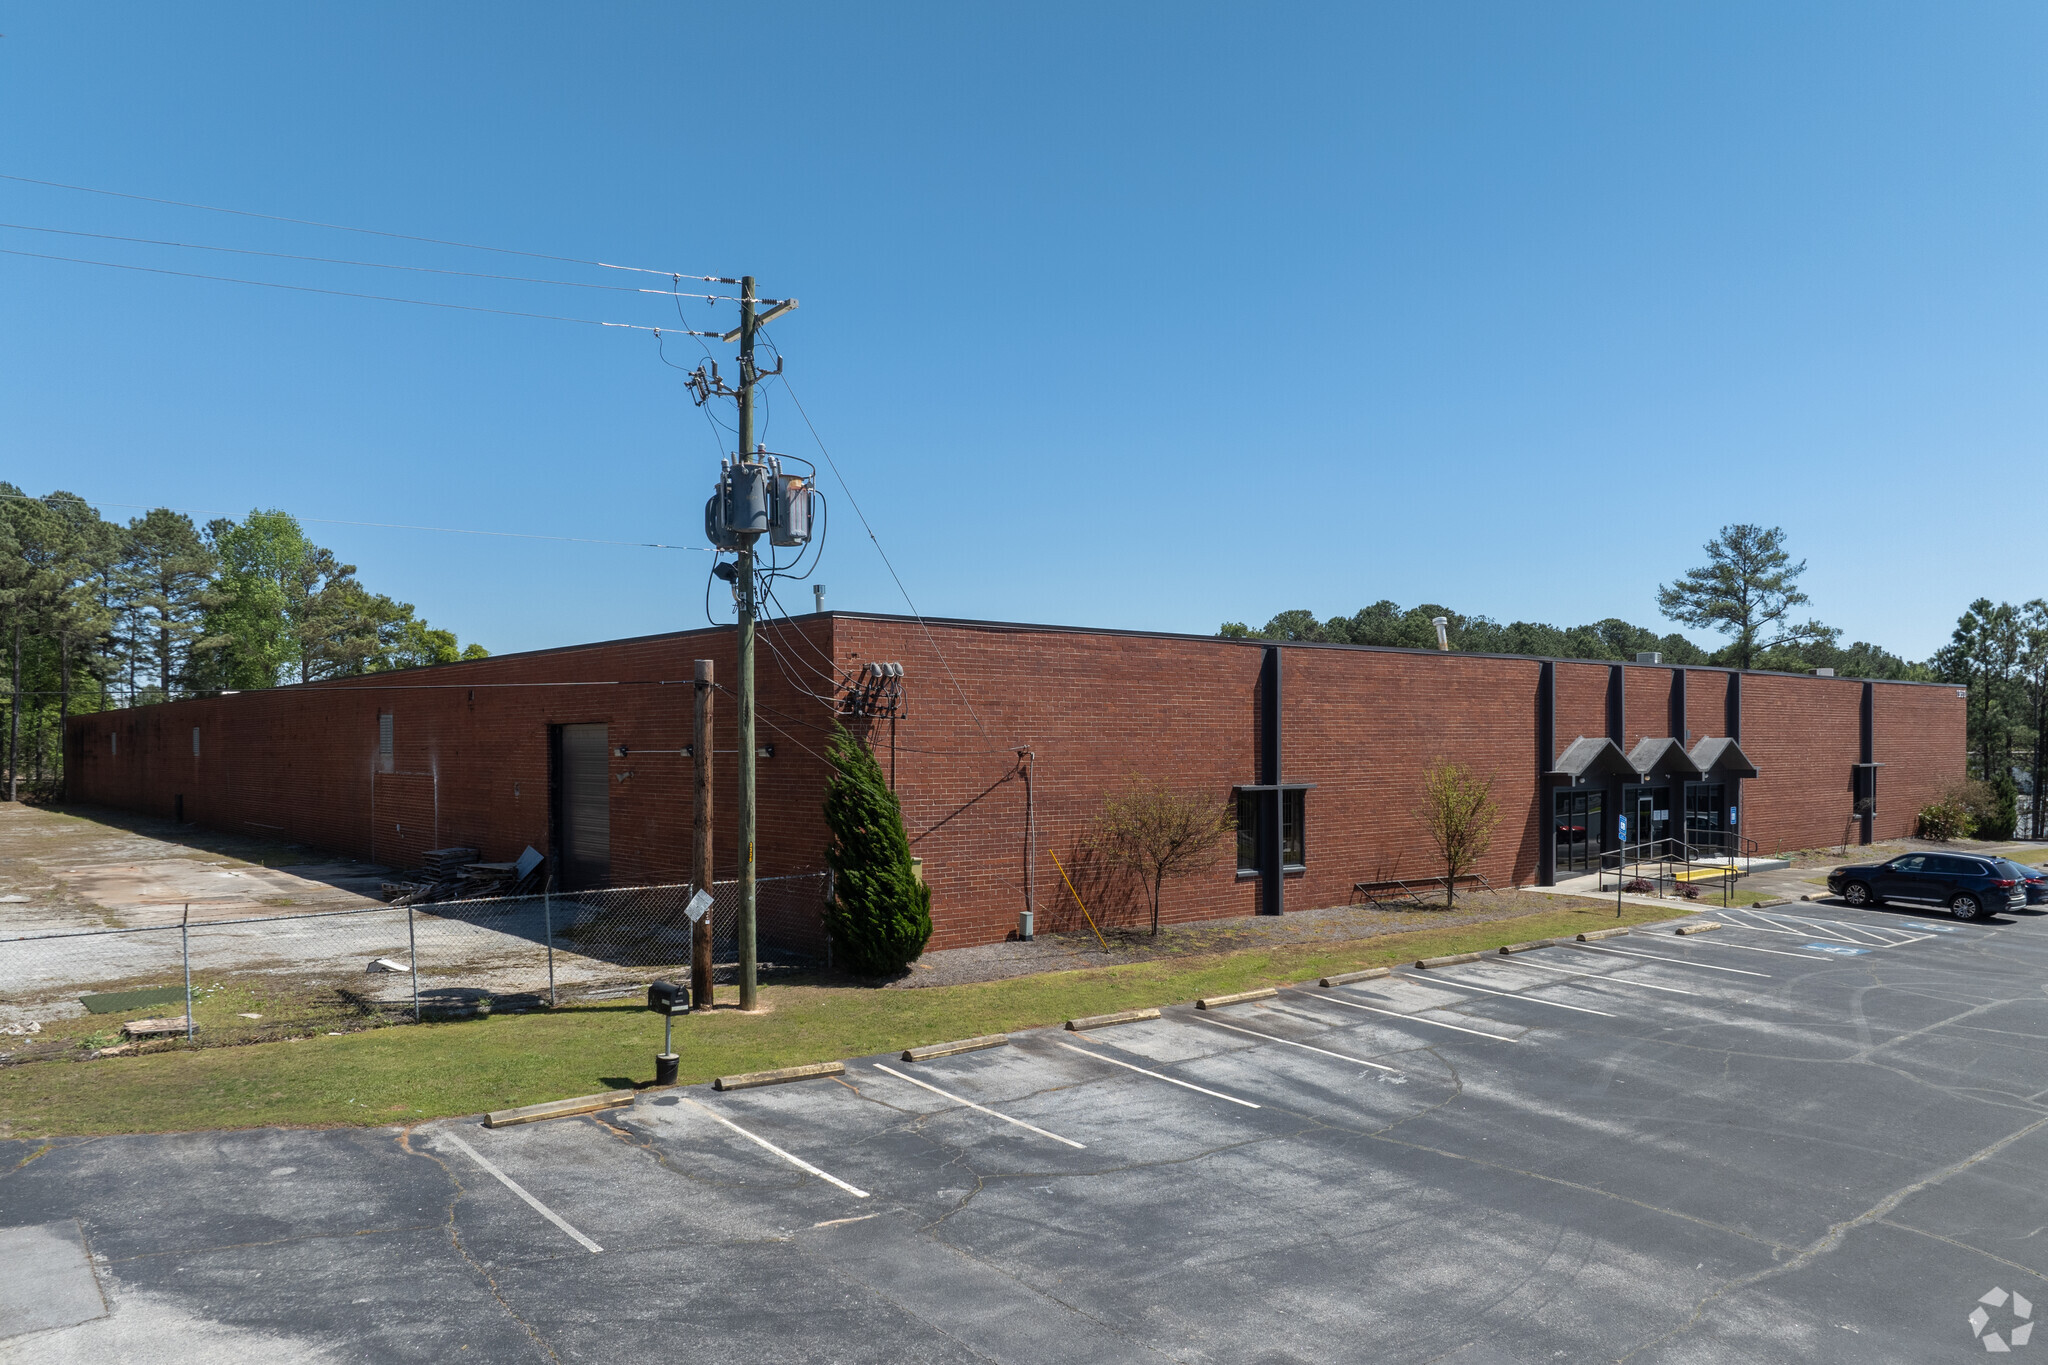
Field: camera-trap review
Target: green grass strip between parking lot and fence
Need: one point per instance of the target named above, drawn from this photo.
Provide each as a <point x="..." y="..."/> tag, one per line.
<point x="402" y="1075"/>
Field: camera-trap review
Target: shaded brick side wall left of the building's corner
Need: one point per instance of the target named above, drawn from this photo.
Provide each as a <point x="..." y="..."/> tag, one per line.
<point x="472" y="756"/>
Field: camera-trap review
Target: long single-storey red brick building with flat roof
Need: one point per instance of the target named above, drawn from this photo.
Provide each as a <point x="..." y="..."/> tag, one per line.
<point x="1005" y="744"/>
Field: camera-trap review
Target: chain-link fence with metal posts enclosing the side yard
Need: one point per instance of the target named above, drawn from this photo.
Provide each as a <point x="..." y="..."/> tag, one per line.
<point x="232" y="981"/>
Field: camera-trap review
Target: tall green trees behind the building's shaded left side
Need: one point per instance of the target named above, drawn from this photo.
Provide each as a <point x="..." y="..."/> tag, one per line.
<point x="99" y="615"/>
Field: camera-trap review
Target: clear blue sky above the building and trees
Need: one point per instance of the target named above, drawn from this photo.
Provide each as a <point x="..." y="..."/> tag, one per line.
<point x="1125" y="316"/>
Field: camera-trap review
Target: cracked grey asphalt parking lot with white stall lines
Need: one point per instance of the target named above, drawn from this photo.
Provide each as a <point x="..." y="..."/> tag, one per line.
<point x="1814" y="1135"/>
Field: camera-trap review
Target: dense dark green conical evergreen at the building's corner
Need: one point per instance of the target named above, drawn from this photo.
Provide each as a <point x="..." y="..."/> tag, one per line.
<point x="882" y="916"/>
